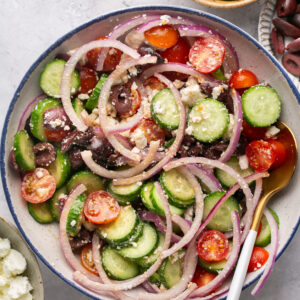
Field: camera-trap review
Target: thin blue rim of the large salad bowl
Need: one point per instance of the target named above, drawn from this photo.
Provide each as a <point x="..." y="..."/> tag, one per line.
<point x="58" y="42"/>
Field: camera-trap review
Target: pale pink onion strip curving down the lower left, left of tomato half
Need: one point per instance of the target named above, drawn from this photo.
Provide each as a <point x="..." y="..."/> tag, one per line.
<point x="63" y="237"/>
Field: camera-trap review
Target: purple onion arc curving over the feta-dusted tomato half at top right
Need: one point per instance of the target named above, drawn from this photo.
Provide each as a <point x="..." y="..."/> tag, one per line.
<point x="231" y="61"/>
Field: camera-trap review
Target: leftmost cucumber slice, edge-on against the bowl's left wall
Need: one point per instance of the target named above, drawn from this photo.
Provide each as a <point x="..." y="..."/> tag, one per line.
<point x="24" y="155"/>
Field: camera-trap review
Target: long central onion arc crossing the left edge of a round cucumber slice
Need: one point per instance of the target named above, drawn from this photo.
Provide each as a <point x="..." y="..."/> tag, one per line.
<point x="172" y="150"/>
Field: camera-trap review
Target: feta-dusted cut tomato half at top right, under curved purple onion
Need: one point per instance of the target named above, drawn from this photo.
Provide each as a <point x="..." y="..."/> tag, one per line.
<point x="207" y="54"/>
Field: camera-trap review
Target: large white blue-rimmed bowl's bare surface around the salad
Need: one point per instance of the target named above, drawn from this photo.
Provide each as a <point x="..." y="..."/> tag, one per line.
<point x="44" y="238"/>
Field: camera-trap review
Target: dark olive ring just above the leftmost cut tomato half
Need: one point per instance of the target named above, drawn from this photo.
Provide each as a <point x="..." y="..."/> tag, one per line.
<point x="45" y="154"/>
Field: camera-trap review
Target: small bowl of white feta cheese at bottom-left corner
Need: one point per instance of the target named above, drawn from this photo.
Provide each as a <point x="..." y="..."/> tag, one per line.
<point x="20" y="276"/>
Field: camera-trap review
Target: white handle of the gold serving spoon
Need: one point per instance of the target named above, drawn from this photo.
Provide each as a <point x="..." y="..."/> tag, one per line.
<point x="242" y="266"/>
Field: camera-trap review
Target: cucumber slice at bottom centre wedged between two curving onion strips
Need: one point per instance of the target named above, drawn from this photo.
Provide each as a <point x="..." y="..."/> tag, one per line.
<point x="171" y="271"/>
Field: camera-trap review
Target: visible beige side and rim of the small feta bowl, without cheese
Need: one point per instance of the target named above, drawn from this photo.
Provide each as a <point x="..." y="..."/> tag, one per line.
<point x="9" y="231"/>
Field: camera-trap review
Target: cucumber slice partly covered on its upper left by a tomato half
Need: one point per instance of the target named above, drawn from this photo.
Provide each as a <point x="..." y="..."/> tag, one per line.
<point x="121" y="229"/>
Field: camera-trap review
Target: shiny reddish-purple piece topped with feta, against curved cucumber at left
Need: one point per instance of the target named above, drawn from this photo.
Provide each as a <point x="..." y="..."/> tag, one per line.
<point x="56" y="119"/>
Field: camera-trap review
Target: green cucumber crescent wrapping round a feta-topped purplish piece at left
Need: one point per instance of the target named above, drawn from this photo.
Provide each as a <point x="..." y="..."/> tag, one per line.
<point x="37" y="119"/>
